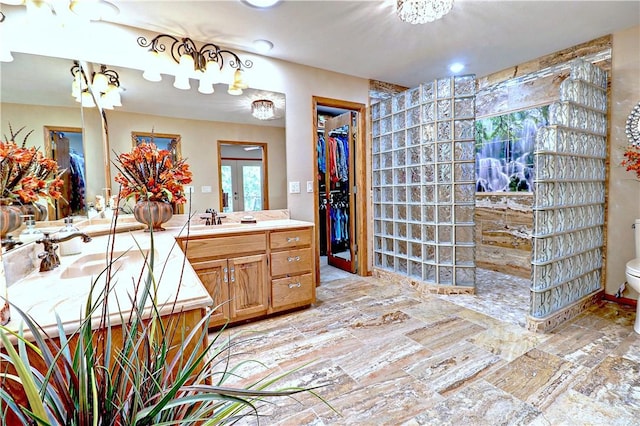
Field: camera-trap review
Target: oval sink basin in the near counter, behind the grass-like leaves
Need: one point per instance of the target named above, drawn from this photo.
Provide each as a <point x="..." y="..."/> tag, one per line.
<point x="95" y="263"/>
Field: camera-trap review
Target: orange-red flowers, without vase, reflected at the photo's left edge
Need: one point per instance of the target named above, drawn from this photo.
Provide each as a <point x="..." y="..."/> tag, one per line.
<point x="25" y="174"/>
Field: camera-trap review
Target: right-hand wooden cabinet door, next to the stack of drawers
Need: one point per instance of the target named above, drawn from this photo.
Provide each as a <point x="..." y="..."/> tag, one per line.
<point x="248" y="286"/>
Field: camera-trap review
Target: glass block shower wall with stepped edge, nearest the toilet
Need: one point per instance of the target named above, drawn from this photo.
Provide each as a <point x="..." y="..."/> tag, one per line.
<point x="569" y="190"/>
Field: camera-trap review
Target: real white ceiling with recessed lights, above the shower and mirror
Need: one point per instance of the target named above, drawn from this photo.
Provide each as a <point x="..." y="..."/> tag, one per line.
<point x="366" y="39"/>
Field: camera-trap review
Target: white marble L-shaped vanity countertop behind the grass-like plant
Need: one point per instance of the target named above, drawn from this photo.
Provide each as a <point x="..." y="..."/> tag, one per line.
<point x="64" y="291"/>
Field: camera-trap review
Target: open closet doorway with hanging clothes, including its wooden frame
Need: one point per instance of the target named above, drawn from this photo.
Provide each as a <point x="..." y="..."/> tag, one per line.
<point x="340" y="185"/>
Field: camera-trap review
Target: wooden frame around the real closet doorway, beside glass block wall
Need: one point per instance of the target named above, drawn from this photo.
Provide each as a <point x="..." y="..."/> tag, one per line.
<point x="361" y="223"/>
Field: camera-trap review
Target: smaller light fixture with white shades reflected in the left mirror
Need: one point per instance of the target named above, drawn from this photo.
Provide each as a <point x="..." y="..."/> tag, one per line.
<point x="106" y="82"/>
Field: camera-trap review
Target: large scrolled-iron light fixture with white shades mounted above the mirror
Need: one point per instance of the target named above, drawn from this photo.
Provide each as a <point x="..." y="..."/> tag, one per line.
<point x="209" y="63"/>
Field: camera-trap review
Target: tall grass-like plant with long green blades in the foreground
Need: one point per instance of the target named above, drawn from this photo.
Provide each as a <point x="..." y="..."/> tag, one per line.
<point x="129" y="373"/>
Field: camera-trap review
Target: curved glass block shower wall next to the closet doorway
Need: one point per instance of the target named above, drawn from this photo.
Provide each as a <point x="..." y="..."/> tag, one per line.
<point x="424" y="182"/>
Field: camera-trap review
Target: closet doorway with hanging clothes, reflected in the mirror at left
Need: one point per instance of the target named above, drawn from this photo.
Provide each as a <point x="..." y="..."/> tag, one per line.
<point x="65" y="145"/>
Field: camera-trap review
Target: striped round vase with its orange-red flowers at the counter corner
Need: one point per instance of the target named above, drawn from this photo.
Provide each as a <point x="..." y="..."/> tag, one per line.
<point x="155" y="179"/>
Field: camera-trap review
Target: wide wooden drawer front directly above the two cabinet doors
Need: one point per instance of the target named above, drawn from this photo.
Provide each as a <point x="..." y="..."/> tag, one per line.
<point x="226" y="246"/>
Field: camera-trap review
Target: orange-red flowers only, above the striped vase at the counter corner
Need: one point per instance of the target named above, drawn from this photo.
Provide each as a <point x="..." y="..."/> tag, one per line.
<point x="152" y="175"/>
